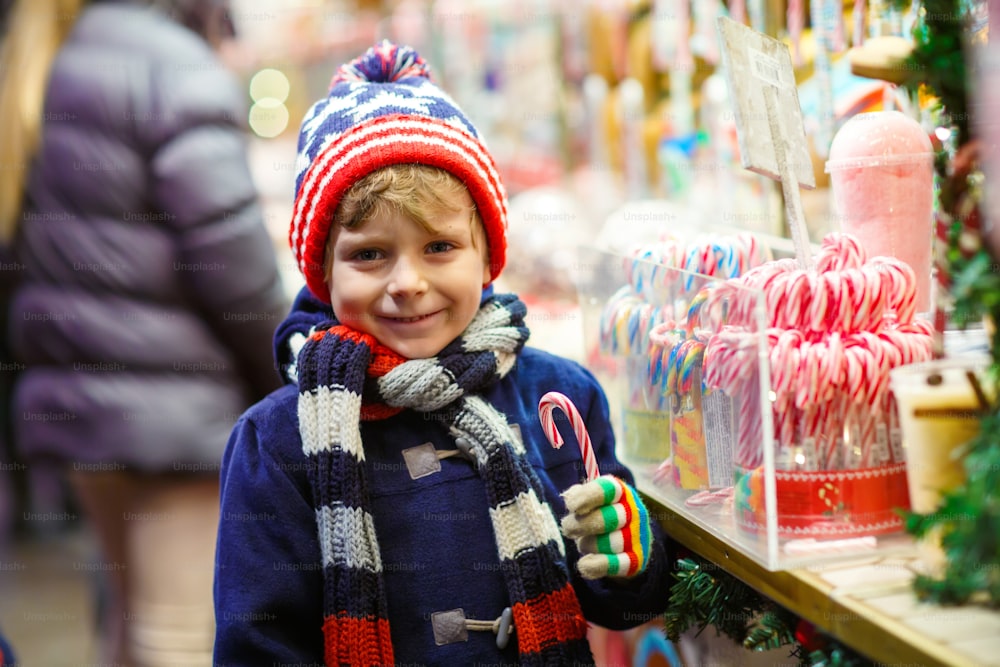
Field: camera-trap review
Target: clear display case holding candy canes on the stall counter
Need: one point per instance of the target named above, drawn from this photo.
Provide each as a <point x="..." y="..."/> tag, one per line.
<point x="756" y="427"/>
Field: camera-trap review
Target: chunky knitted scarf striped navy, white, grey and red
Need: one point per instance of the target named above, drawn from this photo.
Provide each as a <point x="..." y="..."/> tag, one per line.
<point x="346" y="376"/>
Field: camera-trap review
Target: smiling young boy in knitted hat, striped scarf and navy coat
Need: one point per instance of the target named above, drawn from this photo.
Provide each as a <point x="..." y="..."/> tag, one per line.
<point x="398" y="501"/>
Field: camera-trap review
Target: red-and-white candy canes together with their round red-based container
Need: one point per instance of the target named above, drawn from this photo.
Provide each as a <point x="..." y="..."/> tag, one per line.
<point x="831" y="337"/>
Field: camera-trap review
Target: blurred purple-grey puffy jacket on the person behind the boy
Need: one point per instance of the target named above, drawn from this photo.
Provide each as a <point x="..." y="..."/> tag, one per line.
<point x="148" y="287"/>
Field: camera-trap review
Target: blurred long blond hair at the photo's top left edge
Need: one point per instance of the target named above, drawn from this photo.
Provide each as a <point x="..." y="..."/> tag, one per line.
<point x="35" y="32"/>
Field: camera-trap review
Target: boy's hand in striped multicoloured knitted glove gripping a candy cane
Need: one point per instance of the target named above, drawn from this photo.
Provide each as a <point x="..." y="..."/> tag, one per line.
<point x="611" y="528"/>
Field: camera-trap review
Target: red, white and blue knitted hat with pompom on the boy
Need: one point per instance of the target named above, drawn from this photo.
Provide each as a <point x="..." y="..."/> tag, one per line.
<point x="382" y="109"/>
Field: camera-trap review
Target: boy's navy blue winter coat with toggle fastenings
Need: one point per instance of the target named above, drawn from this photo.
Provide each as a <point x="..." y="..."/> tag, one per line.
<point x="436" y="539"/>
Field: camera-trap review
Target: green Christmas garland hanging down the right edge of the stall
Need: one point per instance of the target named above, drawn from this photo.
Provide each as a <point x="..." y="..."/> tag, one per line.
<point x="968" y="518"/>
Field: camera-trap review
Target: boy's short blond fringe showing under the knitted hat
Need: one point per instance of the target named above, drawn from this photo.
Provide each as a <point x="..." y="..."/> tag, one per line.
<point x="416" y="191"/>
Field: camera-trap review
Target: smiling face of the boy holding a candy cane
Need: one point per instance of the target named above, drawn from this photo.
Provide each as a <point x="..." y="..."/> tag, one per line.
<point x="414" y="290"/>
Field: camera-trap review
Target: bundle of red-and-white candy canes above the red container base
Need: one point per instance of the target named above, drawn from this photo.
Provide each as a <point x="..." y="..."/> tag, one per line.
<point x="833" y="334"/>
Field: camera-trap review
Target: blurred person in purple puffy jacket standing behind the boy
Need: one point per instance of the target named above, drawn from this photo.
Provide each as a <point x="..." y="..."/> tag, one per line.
<point x="146" y="291"/>
